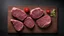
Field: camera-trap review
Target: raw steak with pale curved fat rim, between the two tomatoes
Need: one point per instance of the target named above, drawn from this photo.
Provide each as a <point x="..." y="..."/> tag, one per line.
<point x="36" y="13"/>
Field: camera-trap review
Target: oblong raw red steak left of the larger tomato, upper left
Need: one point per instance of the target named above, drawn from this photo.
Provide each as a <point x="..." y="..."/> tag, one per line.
<point x="18" y="13"/>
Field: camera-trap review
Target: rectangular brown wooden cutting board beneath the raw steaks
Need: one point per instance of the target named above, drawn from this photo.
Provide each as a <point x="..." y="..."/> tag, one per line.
<point x="51" y="29"/>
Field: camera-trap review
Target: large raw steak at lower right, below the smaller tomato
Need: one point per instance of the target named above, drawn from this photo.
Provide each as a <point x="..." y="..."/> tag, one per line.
<point x="44" y="21"/>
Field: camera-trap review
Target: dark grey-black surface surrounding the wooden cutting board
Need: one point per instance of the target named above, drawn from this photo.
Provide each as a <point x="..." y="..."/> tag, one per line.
<point x="4" y="13"/>
